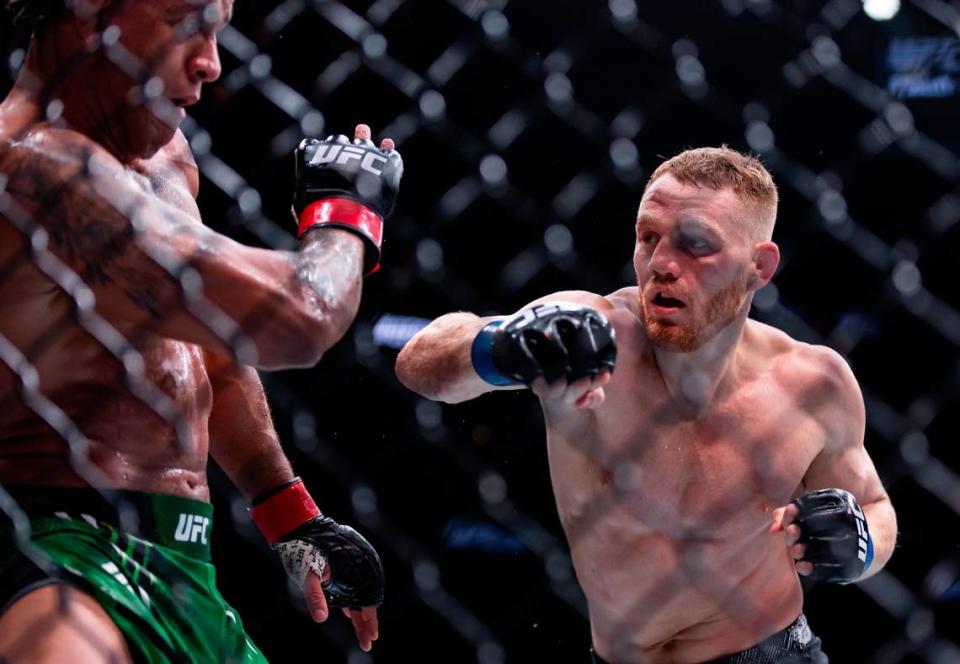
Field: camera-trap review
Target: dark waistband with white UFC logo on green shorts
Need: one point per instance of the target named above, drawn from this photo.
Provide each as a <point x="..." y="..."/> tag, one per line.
<point x="179" y="523"/>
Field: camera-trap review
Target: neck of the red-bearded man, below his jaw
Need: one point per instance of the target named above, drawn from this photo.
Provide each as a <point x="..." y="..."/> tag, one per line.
<point x="698" y="378"/>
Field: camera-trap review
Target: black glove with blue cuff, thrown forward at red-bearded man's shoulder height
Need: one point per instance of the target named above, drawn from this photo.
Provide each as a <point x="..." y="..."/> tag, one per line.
<point x="554" y="340"/>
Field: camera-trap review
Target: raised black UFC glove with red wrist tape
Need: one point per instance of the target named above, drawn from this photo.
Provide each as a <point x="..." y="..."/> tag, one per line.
<point x="346" y="184"/>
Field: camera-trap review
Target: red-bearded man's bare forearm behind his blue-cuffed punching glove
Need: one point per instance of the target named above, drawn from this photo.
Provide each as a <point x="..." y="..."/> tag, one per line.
<point x="437" y="364"/>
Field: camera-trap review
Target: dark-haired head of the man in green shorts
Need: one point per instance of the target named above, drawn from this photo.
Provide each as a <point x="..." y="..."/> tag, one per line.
<point x="124" y="69"/>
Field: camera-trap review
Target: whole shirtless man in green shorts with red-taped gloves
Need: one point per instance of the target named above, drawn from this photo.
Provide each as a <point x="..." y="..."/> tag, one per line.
<point x="122" y="320"/>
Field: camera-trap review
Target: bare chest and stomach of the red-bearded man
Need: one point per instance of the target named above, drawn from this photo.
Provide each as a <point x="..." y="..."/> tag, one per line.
<point x="668" y="511"/>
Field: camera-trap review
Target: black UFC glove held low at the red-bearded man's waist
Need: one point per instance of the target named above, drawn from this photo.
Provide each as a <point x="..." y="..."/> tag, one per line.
<point x="834" y="530"/>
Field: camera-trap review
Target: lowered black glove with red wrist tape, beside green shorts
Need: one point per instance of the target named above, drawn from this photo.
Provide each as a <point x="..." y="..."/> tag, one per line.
<point x="306" y="540"/>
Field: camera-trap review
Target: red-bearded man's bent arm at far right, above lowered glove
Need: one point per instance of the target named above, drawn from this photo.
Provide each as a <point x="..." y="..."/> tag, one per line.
<point x="844" y="462"/>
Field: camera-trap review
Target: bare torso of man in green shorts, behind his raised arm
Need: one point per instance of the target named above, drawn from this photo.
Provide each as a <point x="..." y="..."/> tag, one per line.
<point x="135" y="440"/>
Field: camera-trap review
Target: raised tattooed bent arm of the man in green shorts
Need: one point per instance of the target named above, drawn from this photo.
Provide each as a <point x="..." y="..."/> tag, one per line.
<point x="151" y="267"/>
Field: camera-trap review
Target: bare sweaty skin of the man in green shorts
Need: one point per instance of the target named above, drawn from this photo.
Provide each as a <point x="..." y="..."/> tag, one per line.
<point x="106" y="193"/>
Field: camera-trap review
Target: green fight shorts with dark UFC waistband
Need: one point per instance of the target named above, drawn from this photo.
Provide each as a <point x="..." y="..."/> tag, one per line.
<point x="144" y="557"/>
